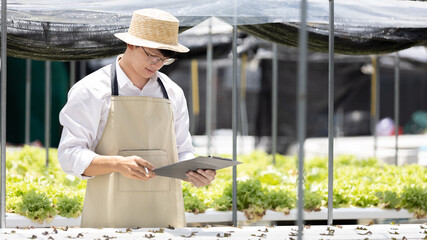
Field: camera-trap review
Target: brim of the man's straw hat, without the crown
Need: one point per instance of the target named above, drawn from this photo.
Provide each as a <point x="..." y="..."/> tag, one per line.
<point x="130" y="39"/>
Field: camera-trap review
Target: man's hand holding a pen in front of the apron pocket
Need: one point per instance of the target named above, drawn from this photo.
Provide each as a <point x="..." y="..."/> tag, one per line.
<point x="135" y="167"/>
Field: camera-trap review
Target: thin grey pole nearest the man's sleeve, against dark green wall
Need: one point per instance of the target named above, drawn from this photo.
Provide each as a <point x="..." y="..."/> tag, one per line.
<point x="48" y="80"/>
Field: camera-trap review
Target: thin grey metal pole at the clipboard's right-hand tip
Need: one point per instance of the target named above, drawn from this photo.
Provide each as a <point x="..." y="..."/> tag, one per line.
<point x="234" y="124"/>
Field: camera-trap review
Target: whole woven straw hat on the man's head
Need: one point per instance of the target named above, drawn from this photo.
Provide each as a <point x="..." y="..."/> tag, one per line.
<point x="153" y="28"/>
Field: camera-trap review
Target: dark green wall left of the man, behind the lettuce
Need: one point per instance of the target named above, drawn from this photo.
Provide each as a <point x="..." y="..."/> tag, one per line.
<point x="16" y="100"/>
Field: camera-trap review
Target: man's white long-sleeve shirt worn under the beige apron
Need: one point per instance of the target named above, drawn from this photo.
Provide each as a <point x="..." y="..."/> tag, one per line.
<point x="85" y="114"/>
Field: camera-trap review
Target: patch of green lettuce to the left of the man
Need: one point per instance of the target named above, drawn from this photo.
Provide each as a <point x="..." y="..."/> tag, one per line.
<point x="39" y="192"/>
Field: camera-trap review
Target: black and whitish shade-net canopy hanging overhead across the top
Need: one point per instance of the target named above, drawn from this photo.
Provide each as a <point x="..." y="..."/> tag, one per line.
<point x="62" y="30"/>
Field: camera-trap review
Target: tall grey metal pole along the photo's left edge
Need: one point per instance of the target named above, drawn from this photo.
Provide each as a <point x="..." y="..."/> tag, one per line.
<point x="3" y="111"/>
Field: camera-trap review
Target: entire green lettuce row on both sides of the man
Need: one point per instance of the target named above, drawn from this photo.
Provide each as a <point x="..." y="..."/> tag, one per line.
<point x="40" y="193"/>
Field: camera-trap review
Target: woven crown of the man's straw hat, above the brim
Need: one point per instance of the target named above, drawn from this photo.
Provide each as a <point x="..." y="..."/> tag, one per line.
<point x="164" y="32"/>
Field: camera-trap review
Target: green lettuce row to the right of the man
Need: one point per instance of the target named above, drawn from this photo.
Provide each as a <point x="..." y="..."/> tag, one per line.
<point x="263" y="186"/>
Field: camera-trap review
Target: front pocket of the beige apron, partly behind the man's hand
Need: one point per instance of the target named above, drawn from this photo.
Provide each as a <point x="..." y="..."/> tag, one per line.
<point x="157" y="158"/>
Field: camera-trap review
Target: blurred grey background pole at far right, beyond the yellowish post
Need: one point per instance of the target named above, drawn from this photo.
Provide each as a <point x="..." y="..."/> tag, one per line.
<point x="396" y="105"/>
